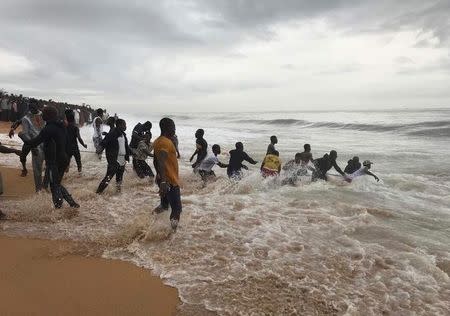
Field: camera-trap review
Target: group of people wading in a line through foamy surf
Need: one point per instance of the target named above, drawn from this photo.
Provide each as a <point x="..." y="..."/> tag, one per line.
<point x="55" y="140"/>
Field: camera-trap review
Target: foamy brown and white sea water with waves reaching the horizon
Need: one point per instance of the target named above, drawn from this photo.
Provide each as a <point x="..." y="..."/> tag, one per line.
<point x="257" y="248"/>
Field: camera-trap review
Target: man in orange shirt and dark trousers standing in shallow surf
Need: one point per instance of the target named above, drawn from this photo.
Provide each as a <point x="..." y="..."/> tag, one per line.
<point x="166" y="165"/>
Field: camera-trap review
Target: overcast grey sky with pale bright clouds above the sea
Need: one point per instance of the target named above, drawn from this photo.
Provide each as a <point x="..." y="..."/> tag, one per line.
<point x="228" y="55"/>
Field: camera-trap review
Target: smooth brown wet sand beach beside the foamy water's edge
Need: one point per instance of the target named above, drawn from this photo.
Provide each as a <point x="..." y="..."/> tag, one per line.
<point x="48" y="277"/>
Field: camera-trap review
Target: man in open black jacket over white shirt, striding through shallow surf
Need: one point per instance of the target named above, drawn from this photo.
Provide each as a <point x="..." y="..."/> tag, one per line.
<point x="117" y="154"/>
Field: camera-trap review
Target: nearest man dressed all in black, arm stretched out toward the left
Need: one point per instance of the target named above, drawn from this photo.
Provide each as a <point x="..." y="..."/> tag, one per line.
<point x="54" y="138"/>
